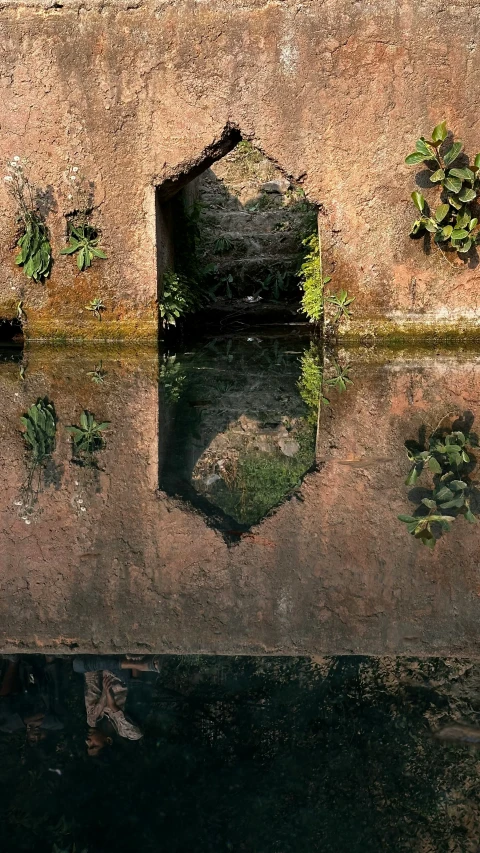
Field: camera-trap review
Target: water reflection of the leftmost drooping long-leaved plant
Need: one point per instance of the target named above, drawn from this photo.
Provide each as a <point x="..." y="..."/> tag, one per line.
<point x="40" y="424"/>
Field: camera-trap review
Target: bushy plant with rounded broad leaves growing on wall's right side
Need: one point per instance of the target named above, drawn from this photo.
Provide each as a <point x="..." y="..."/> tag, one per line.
<point x="451" y="222"/>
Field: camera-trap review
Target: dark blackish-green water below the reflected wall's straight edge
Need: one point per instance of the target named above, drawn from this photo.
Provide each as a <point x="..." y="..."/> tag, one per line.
<point x="257" y="754"/>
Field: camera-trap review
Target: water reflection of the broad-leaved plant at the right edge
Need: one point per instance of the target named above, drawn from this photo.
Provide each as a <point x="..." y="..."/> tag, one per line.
<point x="448" y="455"/>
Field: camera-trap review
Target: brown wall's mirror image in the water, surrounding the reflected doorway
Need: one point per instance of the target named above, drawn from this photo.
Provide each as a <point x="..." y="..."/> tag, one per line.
<point x="331" y="571"/>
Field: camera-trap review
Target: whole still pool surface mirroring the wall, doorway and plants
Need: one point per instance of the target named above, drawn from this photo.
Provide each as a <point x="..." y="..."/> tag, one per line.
<point x="234" y="498"/>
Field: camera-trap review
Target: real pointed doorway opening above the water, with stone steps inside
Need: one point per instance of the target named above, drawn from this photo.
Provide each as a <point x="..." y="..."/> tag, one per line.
<point x="231" y="241"/>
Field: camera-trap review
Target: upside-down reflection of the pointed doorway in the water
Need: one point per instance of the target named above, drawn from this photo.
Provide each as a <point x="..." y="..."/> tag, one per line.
<point x="243" y="392"/>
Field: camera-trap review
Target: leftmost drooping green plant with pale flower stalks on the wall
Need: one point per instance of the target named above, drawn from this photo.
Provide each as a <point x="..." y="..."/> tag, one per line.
<point x="35" y="255"/>
